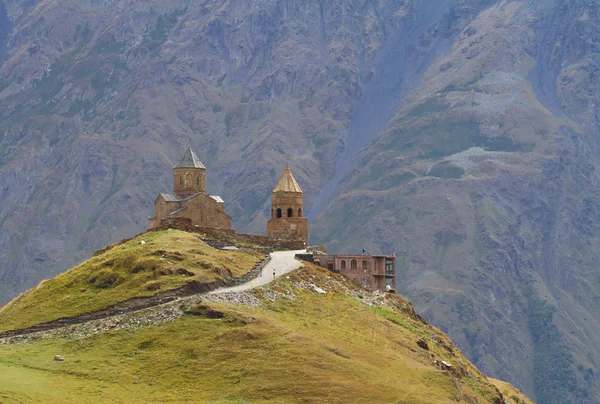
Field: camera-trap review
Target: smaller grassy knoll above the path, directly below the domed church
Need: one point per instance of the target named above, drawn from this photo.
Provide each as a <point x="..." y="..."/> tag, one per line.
<point x="167" y="260"/>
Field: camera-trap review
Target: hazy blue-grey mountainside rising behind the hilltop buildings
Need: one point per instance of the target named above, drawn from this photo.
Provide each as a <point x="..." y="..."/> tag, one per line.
<point x="460" y="134"/>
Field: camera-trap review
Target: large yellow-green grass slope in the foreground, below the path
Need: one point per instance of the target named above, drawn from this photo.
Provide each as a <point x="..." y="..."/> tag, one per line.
<point x="296" y="346"/>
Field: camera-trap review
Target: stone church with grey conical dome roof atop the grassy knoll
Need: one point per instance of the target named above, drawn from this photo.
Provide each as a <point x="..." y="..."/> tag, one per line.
<point x="189" y="199"/>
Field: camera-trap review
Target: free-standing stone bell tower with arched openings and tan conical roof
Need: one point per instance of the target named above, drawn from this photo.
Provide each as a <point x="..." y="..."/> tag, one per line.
<point x="287" y="221"/>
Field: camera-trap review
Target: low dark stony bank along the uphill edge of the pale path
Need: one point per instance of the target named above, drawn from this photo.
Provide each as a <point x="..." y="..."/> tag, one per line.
<point x="140" y="303"/>
